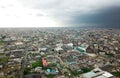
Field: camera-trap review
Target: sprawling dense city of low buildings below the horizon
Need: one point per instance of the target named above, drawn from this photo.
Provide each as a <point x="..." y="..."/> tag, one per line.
<point x="59" y="53"/>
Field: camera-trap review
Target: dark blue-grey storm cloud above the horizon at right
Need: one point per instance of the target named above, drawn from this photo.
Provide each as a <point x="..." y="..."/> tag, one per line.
<point x="107" y="16"/>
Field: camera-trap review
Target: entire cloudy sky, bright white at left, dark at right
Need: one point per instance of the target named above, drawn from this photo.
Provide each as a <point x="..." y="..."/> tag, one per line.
<point x="59" y="13"/>
